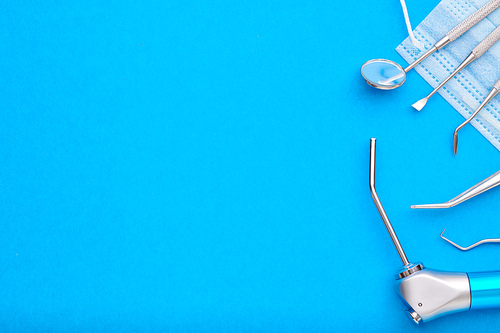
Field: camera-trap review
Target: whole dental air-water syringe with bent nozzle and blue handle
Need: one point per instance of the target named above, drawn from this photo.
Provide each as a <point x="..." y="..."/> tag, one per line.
<point x="429" y="293"/>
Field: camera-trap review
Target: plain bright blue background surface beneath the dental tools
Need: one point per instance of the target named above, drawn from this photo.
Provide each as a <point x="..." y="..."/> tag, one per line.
<point x="203" y="166"/>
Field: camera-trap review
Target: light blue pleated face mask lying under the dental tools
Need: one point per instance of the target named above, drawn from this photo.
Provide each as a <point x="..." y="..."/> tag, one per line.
<point x="466" y="90"/>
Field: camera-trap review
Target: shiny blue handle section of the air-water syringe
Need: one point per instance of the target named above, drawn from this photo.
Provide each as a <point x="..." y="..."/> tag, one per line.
<point x="484" y="289"/>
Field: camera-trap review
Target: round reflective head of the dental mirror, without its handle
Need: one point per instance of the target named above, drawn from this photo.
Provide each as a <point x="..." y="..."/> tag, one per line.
<point x="383" y="74"/>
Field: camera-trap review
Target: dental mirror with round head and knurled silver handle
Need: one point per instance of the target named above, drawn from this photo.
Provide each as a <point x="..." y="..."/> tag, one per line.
<point x="386" y="74"/>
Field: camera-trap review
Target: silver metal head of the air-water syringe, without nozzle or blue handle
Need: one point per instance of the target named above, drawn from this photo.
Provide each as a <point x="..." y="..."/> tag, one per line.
<point x="432" y="294"/>
